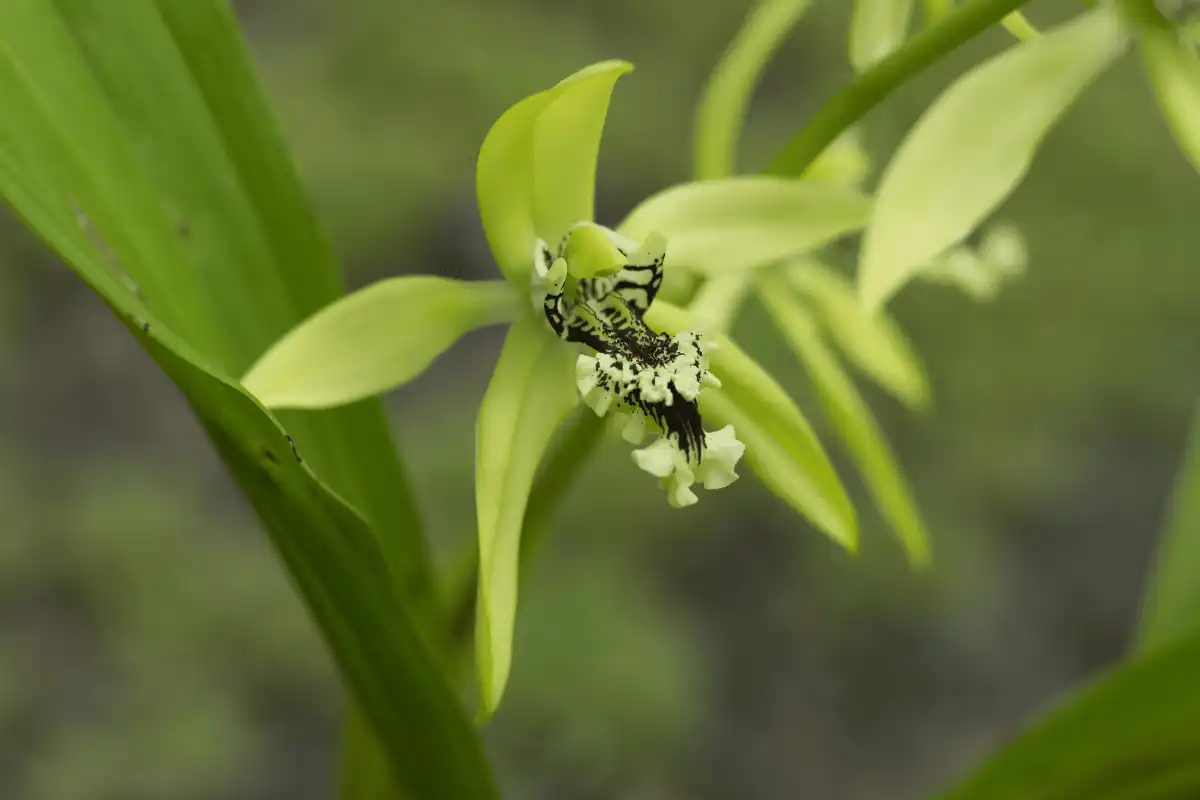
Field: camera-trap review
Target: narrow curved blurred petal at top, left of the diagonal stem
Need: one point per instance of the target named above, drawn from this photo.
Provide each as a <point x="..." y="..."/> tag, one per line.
<point x="723" y="110"/>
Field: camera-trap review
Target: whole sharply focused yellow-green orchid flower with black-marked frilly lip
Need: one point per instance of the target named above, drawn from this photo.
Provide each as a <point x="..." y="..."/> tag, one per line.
<point x="585" y="322"/>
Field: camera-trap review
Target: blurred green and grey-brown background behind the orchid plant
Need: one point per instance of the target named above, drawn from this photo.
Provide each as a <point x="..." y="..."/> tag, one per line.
<point x="152" y="648"/>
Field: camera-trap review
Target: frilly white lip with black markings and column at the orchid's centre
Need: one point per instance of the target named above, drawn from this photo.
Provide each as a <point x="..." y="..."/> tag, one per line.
<point x="597" y="296"/>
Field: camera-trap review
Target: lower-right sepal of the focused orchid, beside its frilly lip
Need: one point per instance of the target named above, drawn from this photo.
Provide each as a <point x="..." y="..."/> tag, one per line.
<point x="782" y="447"/>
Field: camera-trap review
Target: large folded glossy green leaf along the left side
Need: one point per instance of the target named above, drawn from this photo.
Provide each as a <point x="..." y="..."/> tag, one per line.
<point x="136" y="145"/>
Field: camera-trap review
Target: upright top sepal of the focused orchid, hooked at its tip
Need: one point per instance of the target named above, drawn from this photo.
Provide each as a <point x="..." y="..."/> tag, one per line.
<point x="536" y="175"/>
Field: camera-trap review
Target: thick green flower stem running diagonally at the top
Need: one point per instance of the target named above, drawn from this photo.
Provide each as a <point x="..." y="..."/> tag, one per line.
<point x="866" y="92"/>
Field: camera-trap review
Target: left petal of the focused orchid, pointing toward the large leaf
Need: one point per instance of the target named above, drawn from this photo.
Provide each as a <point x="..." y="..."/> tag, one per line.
<point x="375" y="340"/>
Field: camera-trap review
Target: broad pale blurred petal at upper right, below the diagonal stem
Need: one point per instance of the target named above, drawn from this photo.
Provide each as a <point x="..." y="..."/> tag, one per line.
<point x="974" y="146"/>
